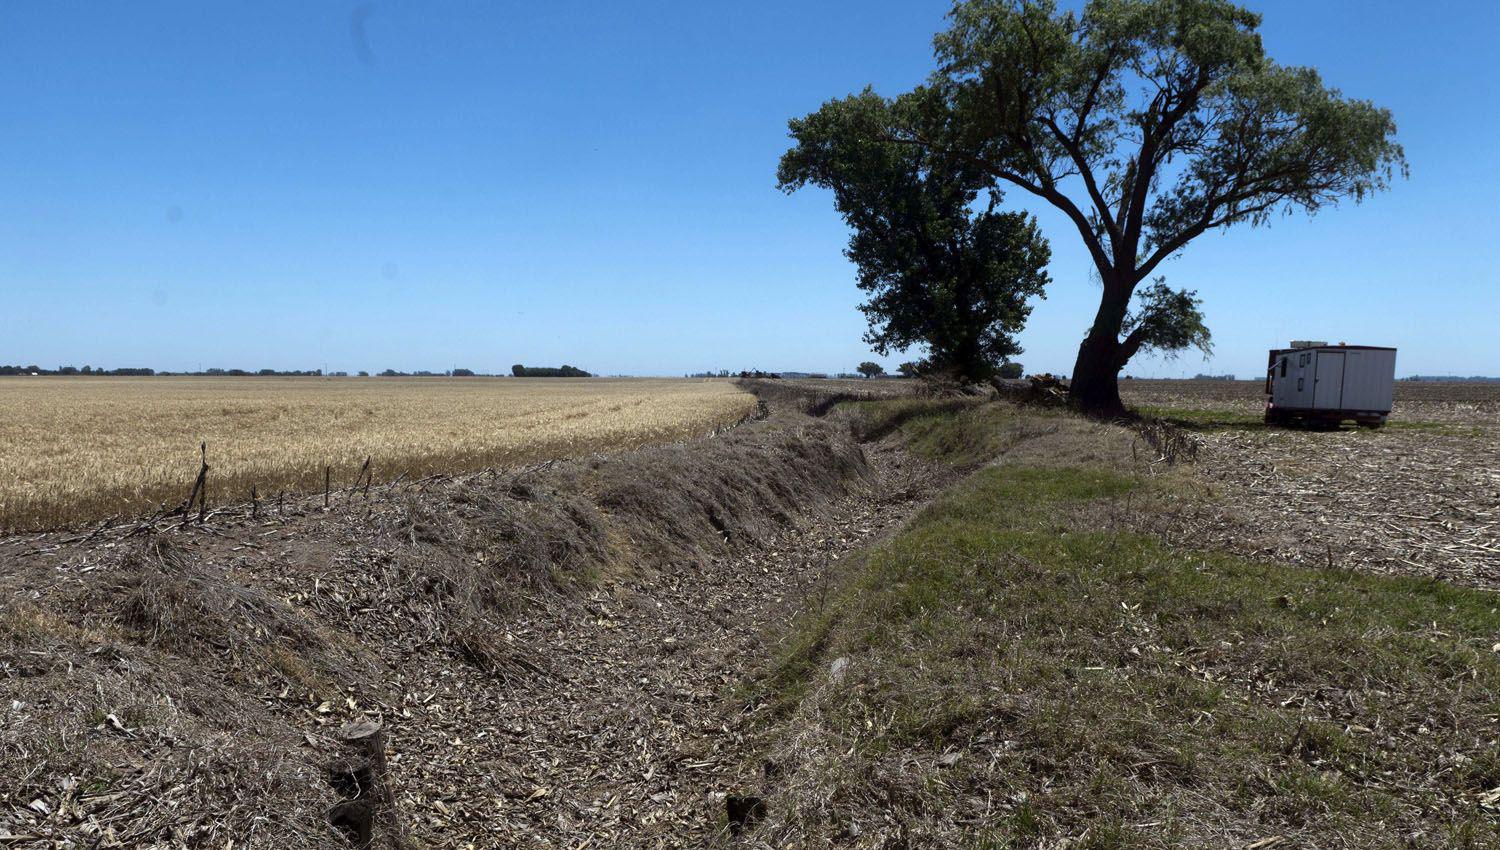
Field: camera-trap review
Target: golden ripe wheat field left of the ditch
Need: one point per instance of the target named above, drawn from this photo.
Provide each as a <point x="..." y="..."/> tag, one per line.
<point x="89" y="449"/>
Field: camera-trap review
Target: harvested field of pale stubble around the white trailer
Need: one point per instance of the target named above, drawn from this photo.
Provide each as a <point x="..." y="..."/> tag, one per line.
<point x="1420" y="497"/>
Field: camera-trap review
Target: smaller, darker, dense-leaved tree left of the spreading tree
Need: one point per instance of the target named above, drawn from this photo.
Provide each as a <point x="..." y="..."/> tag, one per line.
<point x="943" y="274"/>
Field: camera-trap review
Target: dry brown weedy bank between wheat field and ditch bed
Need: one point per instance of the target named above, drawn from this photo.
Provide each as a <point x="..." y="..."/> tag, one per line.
<point x="188" y="684"/>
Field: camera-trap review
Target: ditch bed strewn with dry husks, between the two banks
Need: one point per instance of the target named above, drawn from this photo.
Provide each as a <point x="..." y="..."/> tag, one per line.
<point x="626" y="738"/>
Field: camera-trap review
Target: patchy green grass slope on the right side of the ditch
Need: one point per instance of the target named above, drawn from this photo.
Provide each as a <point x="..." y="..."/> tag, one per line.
<point x="1015" y="677"/>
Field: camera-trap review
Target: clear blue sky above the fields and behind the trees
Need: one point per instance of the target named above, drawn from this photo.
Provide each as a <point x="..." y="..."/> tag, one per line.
<point x="251" y="185"/>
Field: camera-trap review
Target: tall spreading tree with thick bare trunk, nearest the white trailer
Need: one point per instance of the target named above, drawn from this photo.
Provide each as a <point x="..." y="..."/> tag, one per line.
<point x="1147" y="124"/>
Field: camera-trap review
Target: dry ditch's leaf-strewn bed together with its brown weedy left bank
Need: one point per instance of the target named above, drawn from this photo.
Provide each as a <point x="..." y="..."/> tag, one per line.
<point x="479" y="659"/>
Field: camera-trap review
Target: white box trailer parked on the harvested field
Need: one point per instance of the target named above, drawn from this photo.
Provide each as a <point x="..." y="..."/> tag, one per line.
<point x="1319" y="385"/>
